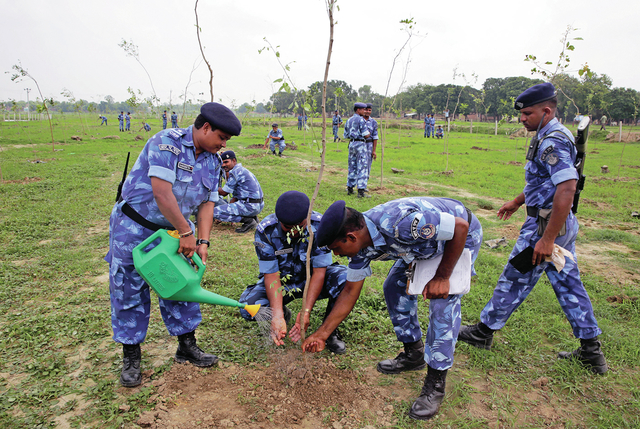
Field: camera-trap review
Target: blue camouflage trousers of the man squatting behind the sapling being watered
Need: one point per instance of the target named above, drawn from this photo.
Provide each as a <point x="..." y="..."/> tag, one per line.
<point x="334" y="281"/>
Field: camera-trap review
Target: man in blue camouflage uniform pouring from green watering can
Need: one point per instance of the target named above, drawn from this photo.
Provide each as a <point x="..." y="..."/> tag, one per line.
<point x="175" y="176"/>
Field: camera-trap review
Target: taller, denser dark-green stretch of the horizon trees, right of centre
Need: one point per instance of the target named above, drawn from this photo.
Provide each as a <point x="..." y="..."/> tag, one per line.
<point x="592" y="95"/>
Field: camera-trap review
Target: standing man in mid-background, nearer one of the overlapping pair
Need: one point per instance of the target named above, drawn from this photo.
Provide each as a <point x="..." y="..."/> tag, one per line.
<point x="356" y="131"/>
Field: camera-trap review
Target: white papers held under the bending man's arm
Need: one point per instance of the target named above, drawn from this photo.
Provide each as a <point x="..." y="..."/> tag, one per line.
<point x="425" y="270"/>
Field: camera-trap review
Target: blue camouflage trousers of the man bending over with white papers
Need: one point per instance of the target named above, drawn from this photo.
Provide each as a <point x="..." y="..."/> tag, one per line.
<point x="444" y="314"/>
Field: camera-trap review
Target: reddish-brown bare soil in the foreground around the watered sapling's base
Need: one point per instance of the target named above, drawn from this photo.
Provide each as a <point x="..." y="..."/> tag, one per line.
<point x="294" y="391"/>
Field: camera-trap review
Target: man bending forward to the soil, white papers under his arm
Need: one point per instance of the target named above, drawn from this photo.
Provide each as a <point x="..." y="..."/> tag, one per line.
<point x="405" y="230"/>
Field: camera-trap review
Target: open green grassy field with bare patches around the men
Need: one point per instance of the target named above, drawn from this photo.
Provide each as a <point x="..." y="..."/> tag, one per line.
<point x="60" y="368"/>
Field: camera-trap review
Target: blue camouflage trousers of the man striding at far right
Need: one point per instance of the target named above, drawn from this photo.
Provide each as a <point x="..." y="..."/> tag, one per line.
<point x="514" y="287"/>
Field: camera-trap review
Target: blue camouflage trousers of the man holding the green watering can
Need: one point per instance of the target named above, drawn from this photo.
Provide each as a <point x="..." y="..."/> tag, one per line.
<point x="130" y="295"/>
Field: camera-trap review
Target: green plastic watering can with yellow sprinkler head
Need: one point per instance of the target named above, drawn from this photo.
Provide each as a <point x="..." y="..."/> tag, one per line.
<point x="172" y="276"/>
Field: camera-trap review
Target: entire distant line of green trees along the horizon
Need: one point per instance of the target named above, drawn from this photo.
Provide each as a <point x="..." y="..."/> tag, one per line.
<point x="589" y="95"/>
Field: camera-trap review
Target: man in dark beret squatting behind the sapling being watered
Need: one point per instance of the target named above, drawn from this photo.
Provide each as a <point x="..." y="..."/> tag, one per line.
<point x="281" y="245"/>
